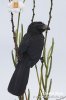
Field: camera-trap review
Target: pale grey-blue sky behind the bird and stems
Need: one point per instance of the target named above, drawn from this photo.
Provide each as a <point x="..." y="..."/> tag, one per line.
<point x="58" y="31"/>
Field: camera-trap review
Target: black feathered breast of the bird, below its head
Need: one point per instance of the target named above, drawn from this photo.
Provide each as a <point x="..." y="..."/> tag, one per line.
<point x="36" y="46"/>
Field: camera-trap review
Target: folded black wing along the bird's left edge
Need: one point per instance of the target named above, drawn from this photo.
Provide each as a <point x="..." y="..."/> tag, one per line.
<point x="24" y="45"/>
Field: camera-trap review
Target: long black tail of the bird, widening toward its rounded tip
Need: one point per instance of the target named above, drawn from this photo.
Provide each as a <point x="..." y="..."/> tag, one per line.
<point x="19" y="80"/>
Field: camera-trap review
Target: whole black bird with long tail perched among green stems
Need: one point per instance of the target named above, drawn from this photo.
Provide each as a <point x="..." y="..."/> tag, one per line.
<point x="29" y="53"/>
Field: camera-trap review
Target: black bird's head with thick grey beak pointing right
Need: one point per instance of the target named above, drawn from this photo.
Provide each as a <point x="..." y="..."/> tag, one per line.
<point x="37" y="27"/>
